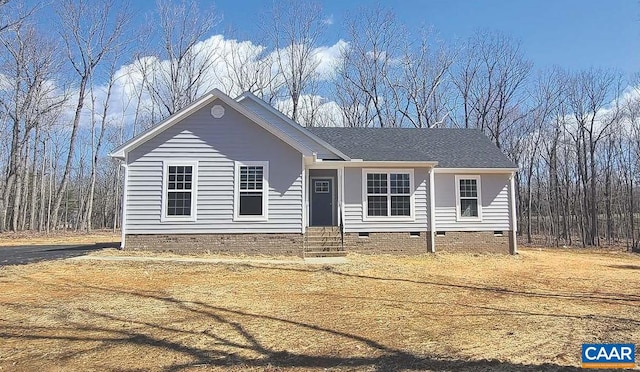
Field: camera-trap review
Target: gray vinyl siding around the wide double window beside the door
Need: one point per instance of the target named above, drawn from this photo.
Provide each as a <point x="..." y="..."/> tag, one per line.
<point x="353" y="209"/>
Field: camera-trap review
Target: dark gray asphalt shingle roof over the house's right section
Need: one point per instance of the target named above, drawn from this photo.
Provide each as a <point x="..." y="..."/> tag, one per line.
<point x="450" y="147"/>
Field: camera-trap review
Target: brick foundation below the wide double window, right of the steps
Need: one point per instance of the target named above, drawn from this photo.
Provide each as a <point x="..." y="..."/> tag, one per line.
<point x="387" y="243"/>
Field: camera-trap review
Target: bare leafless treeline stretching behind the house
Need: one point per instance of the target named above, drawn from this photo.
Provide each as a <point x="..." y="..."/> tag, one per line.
<point x="69" y="96"/>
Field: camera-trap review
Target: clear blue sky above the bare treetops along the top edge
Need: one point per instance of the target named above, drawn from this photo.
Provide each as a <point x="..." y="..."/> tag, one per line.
<point x="574" y="34"/>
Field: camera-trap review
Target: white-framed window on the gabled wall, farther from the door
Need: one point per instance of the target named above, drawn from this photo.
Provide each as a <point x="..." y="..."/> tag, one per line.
<point x="179" y="191"/>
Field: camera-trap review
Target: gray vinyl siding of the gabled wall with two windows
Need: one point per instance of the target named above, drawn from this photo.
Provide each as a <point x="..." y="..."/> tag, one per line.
<point x="215" y="144"/>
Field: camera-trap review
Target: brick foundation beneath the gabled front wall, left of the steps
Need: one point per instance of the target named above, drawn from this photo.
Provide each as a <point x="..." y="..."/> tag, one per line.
<point x="249" y="244"/>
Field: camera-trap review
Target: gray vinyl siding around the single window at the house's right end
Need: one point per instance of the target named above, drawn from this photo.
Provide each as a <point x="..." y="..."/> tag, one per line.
<point x="495" y="204"/>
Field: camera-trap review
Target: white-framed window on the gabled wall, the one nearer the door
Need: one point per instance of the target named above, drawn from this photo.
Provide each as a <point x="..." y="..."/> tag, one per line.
<point x="251" y="190"/>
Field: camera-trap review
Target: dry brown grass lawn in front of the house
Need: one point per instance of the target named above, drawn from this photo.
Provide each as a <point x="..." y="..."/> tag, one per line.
<point x="433" y="312"/>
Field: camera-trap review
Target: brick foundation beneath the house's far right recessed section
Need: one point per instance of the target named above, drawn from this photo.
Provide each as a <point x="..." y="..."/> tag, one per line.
<point x="474" y="241"/>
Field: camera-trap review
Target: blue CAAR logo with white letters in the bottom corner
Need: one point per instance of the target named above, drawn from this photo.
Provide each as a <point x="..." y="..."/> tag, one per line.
<point x="608" y="356"/>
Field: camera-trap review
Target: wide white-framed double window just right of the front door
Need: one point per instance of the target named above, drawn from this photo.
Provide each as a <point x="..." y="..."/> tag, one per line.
<point x="388" y="194"/>
